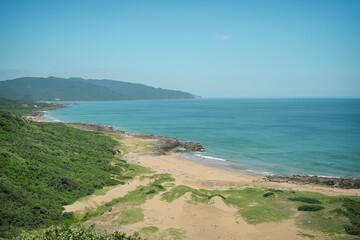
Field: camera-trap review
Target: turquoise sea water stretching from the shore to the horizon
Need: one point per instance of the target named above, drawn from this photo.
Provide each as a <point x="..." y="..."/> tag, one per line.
<point x="262" y="136"/>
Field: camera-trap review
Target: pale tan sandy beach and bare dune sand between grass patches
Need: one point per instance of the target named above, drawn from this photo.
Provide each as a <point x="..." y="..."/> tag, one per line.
<point x="181" y="218"/>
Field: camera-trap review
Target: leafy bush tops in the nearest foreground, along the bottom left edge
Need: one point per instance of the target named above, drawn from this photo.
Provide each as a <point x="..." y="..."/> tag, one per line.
<point x="74" y="232"/>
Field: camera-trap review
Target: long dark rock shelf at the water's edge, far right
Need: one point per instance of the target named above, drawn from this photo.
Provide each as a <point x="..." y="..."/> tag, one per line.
<point x="346" y="183"/>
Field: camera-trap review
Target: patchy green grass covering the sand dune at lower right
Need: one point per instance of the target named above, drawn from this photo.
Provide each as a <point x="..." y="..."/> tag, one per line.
<point x="255" y="208"/>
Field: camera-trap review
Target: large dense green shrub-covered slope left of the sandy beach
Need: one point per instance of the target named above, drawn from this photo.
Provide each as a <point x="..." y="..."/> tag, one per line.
<point x="44" y="166"/>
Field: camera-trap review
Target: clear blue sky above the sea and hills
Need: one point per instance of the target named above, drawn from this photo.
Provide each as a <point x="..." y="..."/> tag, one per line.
<point x="219" y="48"/>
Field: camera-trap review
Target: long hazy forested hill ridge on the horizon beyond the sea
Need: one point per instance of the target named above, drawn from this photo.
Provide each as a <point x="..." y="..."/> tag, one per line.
<point x="78" y="89"/>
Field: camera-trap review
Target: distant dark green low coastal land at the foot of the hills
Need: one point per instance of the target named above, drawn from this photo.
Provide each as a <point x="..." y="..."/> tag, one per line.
<point x="25" y="107"/>
